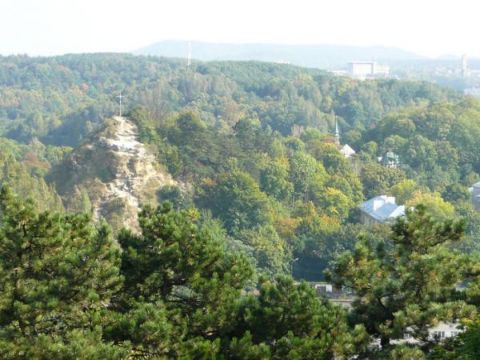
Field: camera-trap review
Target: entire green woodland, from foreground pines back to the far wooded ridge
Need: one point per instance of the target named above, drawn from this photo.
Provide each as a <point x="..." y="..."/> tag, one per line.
<point x="266" y="196"/>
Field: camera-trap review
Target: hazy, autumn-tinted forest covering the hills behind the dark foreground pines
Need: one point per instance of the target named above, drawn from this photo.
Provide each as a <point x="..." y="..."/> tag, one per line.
<point x="252" y="142"/>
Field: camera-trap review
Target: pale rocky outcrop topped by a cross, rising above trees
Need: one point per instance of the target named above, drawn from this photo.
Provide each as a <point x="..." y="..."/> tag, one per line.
<point x="114" y="173"/>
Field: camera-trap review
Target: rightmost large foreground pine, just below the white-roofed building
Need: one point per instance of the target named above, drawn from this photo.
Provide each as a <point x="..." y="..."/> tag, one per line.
<point x="409" y="284"/>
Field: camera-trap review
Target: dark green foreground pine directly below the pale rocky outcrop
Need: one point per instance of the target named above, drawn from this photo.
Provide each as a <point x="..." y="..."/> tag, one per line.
<point x="176" y="271"/>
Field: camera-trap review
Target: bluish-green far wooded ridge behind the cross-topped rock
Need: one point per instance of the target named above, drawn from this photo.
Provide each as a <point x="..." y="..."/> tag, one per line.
<point x="60" y="99"/>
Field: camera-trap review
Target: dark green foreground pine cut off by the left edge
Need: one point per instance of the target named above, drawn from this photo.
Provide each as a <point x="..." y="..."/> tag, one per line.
<point x="57" y="276"/>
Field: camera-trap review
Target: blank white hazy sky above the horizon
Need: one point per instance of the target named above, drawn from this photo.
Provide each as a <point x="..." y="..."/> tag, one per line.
<point x="426" y="27"/>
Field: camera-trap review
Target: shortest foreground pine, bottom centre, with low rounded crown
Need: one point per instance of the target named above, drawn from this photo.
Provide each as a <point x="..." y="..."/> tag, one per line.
<point x="288" y="321"/>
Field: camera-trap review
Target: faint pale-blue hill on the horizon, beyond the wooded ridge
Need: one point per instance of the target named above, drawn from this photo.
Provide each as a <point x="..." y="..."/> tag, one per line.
<point x="317" y="56"/>
